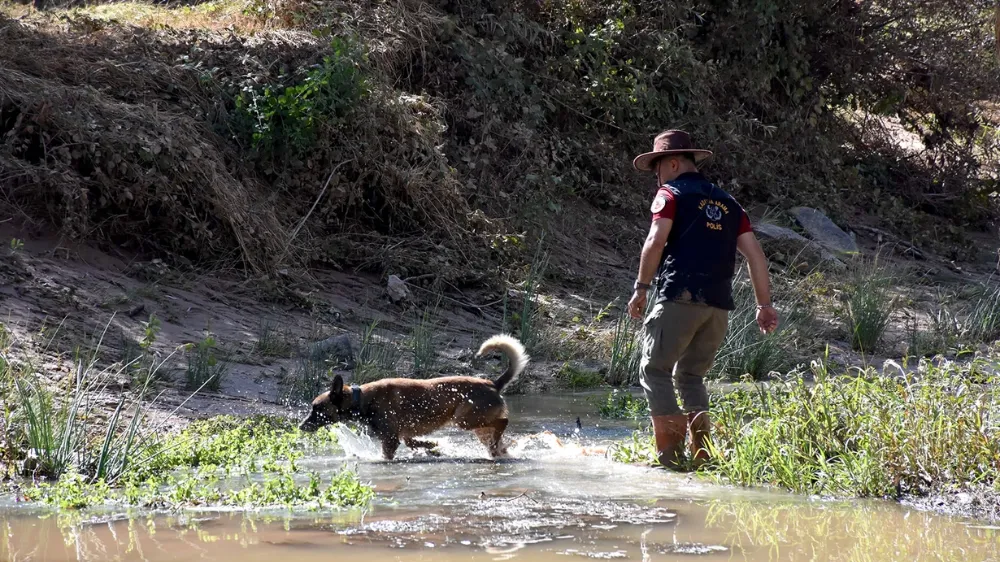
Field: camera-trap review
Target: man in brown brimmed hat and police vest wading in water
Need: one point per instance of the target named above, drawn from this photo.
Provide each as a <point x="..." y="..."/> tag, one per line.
<point x="691" y="247"/>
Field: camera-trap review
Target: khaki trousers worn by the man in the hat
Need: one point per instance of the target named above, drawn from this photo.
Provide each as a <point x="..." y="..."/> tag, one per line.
<point x="679" y="347"/>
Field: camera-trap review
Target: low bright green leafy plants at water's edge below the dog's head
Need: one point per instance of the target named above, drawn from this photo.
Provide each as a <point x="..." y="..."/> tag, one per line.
<point x="221" y="461"/>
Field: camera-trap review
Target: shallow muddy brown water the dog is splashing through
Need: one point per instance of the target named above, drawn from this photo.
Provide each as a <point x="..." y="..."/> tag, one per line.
<point x="554" y="500"/>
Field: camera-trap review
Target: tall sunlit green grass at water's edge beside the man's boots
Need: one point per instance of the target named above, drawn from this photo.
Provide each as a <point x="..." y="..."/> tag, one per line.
<point x="864" y="436"/>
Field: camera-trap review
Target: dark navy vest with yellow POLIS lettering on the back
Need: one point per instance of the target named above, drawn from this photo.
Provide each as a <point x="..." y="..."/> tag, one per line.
<point x="699" y="260"/>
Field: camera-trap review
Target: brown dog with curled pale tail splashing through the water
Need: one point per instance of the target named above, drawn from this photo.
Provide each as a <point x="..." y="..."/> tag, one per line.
<point x="404" y="409"/>
